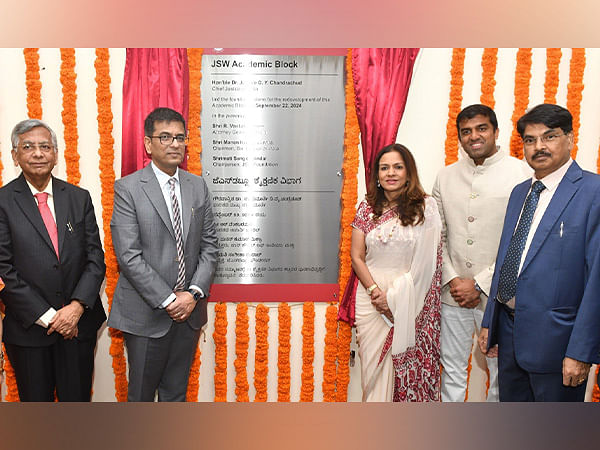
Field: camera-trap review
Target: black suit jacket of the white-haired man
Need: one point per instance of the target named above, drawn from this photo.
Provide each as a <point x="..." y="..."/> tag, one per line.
<point x="34" y="278"/>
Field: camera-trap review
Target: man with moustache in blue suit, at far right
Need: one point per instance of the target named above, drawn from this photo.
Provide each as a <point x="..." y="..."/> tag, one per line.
<point x="545" y="315"/>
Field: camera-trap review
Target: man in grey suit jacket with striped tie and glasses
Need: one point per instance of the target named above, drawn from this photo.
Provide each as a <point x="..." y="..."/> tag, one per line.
<point x="166" y="245"/>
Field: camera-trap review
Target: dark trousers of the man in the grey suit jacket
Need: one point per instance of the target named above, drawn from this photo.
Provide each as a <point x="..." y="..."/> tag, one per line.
<point x="161" y="364"/>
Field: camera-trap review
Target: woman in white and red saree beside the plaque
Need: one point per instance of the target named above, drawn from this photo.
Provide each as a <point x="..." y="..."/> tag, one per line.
<point x="396" y="255"/>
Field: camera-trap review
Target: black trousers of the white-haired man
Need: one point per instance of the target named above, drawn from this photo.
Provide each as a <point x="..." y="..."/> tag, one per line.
<point x="65" y="367"/>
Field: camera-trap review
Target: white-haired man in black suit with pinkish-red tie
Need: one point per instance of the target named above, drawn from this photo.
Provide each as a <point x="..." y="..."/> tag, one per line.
<point x="52" y="264"/>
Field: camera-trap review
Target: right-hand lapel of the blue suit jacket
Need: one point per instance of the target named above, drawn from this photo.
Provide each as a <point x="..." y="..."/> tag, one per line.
<point x="564" y="192"/>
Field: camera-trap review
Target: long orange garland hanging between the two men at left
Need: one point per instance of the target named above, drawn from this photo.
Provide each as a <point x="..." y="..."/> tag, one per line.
<point x="107" y="180"/>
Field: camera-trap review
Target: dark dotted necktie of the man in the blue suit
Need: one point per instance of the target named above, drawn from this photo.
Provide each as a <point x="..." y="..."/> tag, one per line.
<point x="509" y="272"/>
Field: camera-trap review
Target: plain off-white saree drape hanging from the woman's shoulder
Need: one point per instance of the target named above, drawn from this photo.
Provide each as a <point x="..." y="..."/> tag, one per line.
<point x="409" y="291"/>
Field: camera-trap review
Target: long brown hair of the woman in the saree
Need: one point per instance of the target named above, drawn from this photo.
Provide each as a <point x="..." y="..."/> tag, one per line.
<point x="410" y="204"/>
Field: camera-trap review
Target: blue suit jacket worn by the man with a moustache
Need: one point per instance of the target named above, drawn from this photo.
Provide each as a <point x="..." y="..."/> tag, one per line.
<point x="557" y="310"/>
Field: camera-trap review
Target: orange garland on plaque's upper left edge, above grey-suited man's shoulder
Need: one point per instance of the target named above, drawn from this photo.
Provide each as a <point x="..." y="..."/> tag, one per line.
<point x="195" y="143"/>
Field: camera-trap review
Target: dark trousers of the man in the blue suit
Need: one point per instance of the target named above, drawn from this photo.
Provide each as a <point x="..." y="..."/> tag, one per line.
<point x="518" y="385"/>
